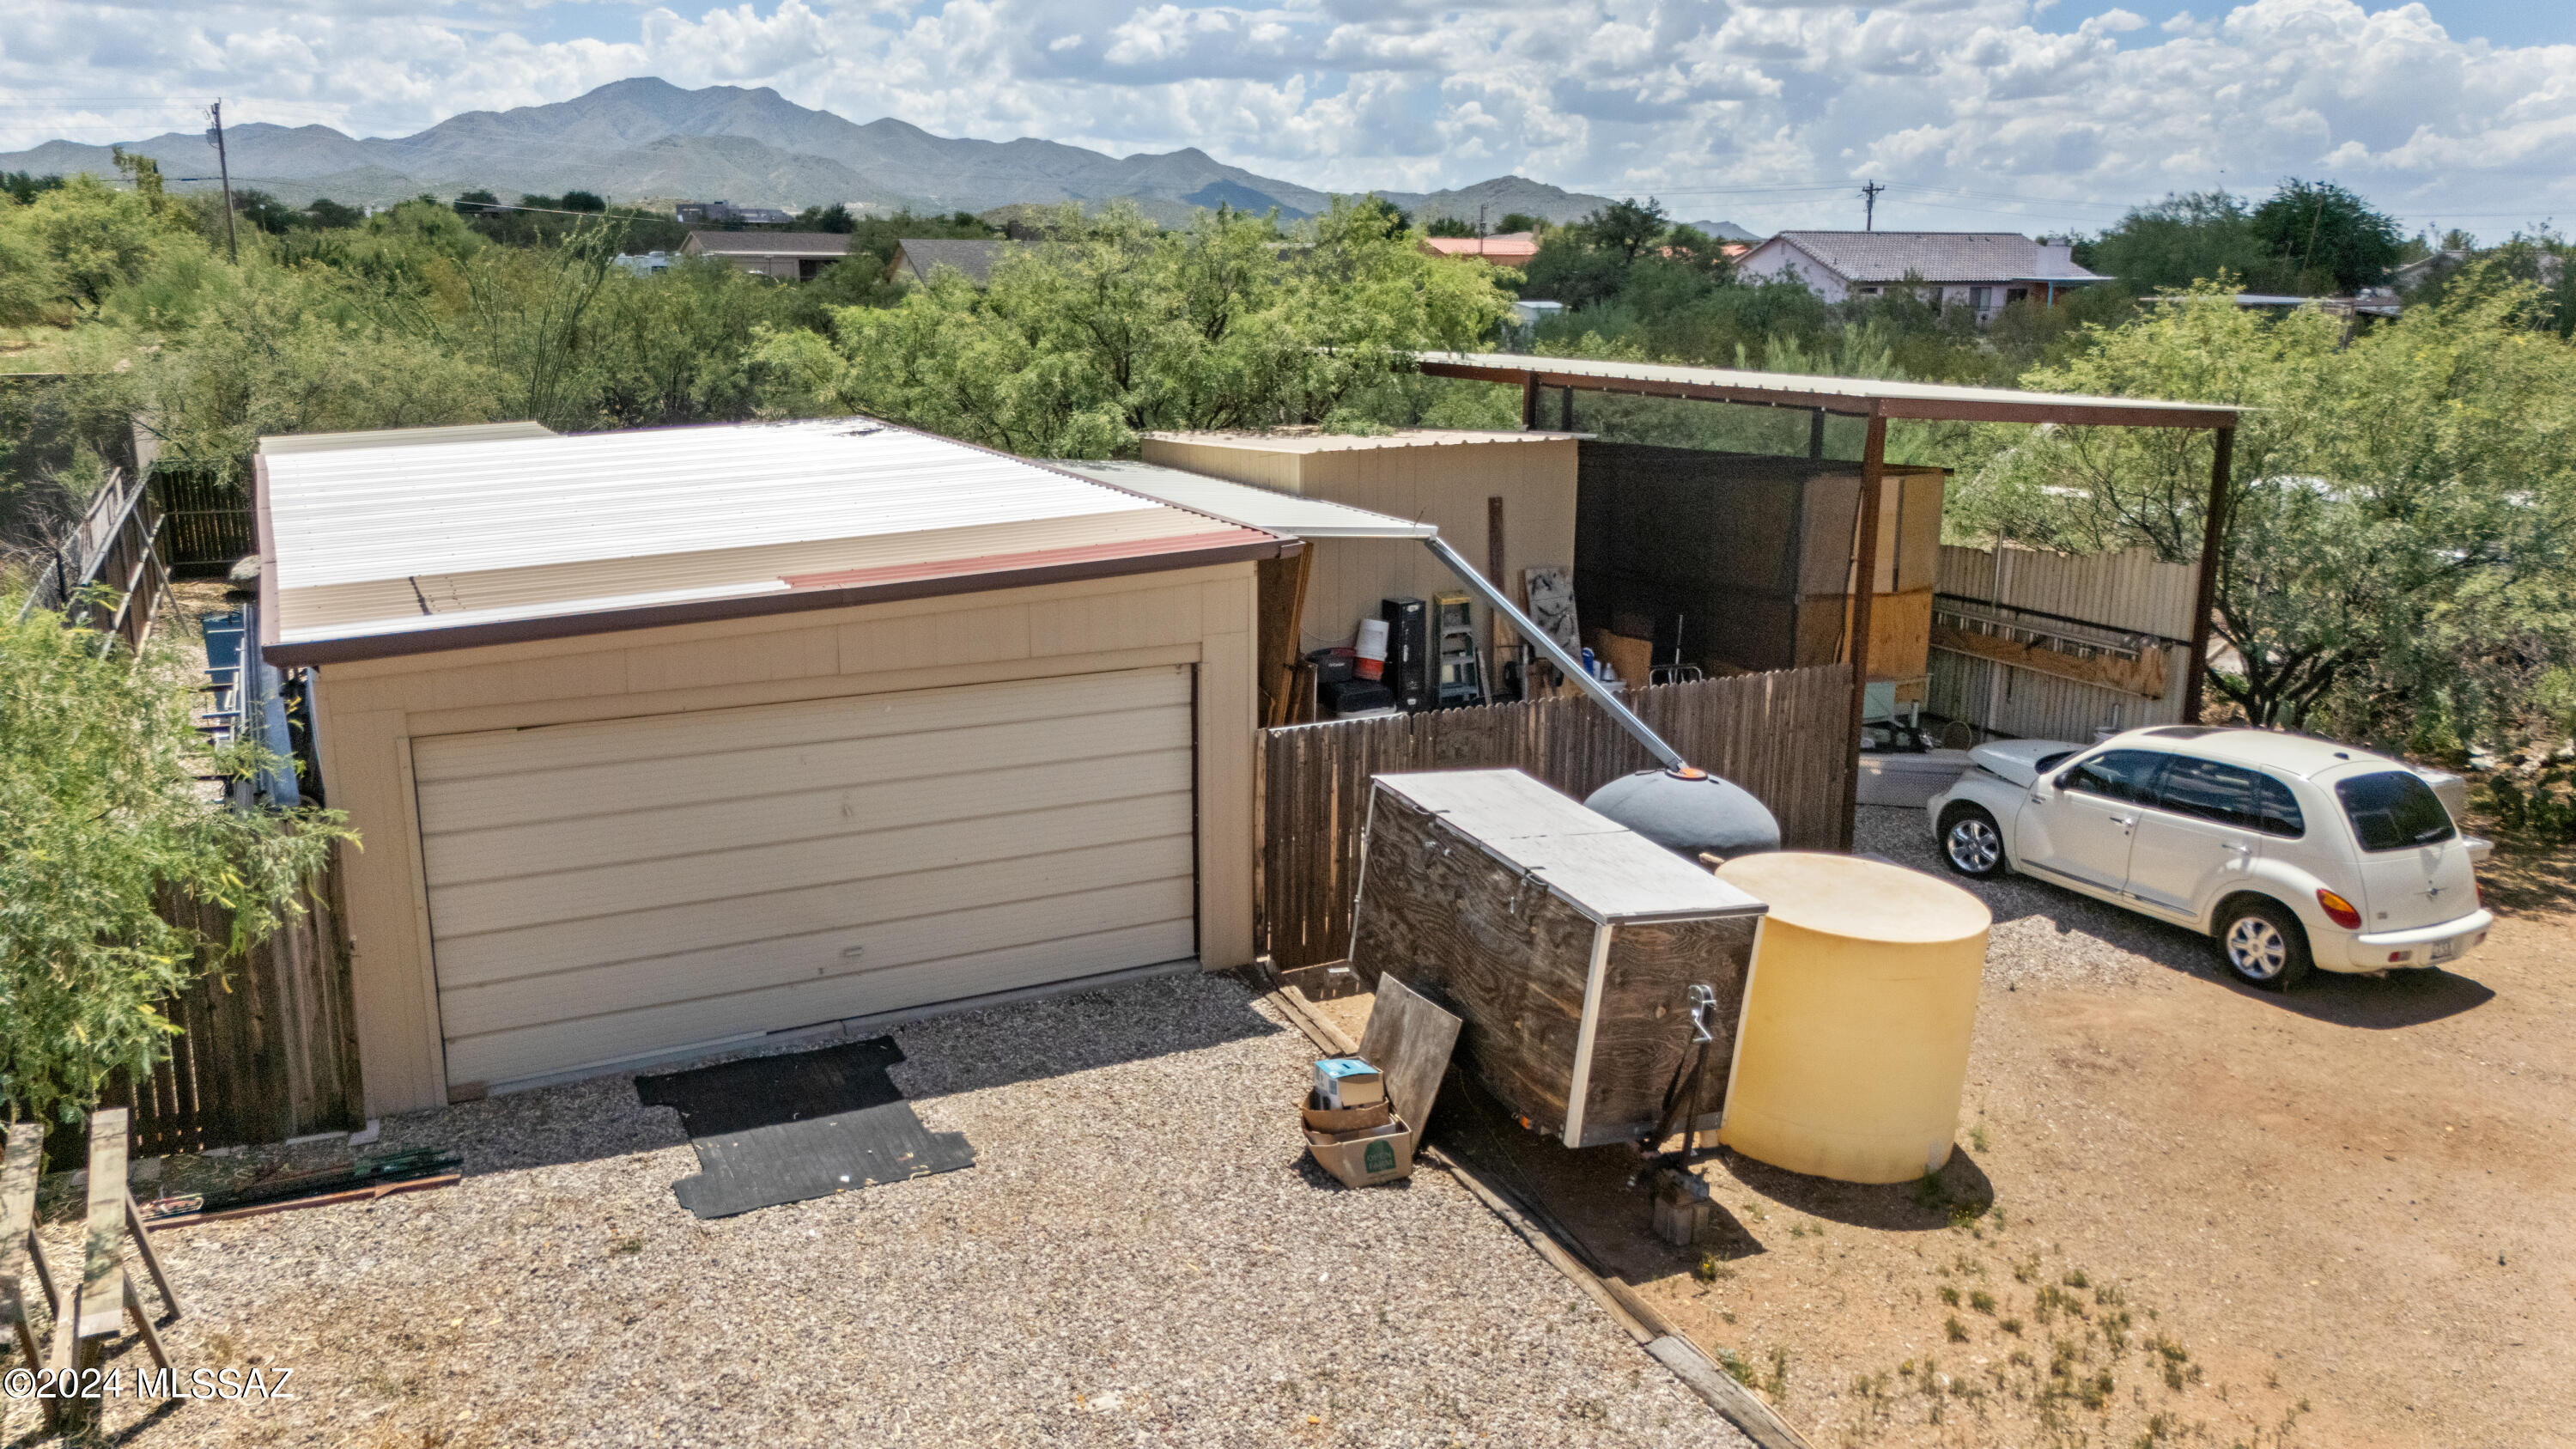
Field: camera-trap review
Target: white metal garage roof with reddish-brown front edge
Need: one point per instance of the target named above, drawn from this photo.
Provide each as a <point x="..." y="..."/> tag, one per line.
<point x="450" y="543"/>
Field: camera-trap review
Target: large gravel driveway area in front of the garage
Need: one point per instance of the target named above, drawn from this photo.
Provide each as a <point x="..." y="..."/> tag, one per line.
<point x="1140" y="1257"/>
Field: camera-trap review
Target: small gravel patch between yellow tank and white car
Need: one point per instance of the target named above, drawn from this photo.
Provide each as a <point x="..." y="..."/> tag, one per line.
<point x="2041" y="935"/>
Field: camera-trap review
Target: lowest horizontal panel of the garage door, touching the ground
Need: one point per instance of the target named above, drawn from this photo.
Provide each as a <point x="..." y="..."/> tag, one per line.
<point x="555" y="1048"/>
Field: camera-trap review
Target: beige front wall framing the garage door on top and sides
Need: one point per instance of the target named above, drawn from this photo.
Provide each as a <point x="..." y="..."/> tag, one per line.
<point x="370" y="713"/>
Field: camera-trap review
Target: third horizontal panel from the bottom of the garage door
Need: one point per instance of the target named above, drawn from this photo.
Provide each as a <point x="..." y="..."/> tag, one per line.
<point x="777" y="917"/>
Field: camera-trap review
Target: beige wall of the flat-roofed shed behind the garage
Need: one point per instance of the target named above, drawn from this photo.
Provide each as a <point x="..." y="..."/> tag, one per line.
<point x="1439" y="483"/>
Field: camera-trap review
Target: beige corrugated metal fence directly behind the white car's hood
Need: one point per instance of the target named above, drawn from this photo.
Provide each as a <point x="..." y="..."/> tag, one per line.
<point x="2116" y="594"/>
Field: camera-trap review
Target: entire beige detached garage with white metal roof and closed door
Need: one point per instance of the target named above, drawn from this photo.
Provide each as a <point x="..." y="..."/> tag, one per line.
<point x="668" y="741"/>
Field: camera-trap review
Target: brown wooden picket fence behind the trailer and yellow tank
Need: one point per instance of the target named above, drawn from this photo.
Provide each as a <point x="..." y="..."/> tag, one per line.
<point x="1784" y="736"/>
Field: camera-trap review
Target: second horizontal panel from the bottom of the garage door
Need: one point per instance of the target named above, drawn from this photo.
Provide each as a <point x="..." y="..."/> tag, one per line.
<point x="890" y="948"/>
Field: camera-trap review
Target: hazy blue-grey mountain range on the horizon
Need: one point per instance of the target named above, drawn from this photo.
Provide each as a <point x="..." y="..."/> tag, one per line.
<point x="648" y="141"/>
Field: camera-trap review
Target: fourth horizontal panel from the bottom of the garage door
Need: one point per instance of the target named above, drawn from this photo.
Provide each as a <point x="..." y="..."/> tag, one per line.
<point x="612" y="891"/>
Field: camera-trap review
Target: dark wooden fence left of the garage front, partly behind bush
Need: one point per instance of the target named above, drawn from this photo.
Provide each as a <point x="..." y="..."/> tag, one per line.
<point x="267" y="1048"/>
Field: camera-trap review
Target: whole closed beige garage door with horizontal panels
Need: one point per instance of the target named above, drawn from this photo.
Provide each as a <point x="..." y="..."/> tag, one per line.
<point x="635" y="886"/>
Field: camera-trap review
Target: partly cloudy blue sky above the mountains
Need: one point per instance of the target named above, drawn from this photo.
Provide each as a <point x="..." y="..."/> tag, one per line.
<point x="2003" y="115"/>
